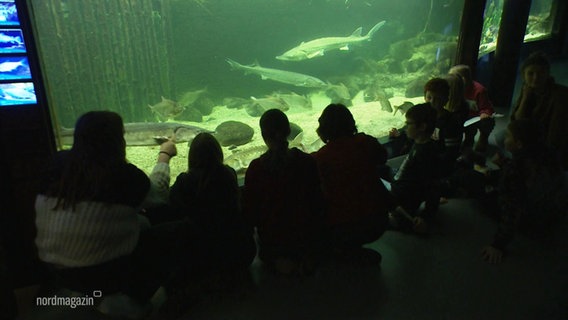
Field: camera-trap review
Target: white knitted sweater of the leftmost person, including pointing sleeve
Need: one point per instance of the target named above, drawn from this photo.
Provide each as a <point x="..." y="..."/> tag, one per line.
<point x="94" y="232"/>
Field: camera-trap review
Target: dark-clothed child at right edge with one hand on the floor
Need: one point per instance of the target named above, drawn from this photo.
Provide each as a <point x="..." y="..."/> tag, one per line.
<point x="532" y="188"/>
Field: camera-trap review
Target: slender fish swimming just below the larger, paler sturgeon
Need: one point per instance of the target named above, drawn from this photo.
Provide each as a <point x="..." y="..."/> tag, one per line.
<point x="288" y="77"/>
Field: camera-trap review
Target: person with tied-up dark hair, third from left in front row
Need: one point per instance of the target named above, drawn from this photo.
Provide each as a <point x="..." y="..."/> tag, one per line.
<point x="282" y="199"/>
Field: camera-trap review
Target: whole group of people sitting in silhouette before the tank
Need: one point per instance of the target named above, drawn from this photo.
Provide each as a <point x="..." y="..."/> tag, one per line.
<point x="104" y="224"/>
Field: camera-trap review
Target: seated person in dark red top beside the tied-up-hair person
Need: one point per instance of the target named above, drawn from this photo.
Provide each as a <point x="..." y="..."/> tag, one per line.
<point x="349" y="165"/>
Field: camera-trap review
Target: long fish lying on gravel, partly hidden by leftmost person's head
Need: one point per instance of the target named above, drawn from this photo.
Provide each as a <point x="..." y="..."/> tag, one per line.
<point x="147" y="133"/>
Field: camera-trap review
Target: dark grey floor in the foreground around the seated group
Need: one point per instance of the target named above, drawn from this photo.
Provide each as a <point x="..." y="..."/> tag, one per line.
<point x="438" y="277"/>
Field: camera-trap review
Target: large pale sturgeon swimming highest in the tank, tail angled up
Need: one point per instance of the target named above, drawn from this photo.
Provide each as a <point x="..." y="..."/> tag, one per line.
<point x="318" y="47"/>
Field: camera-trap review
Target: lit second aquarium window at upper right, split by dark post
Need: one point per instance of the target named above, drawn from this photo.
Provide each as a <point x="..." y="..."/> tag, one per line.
<point x="539" y="24"/>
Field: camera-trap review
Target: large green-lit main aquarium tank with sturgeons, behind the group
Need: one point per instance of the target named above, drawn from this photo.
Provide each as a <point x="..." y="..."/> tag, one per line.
<point x="187" y="66"/>
